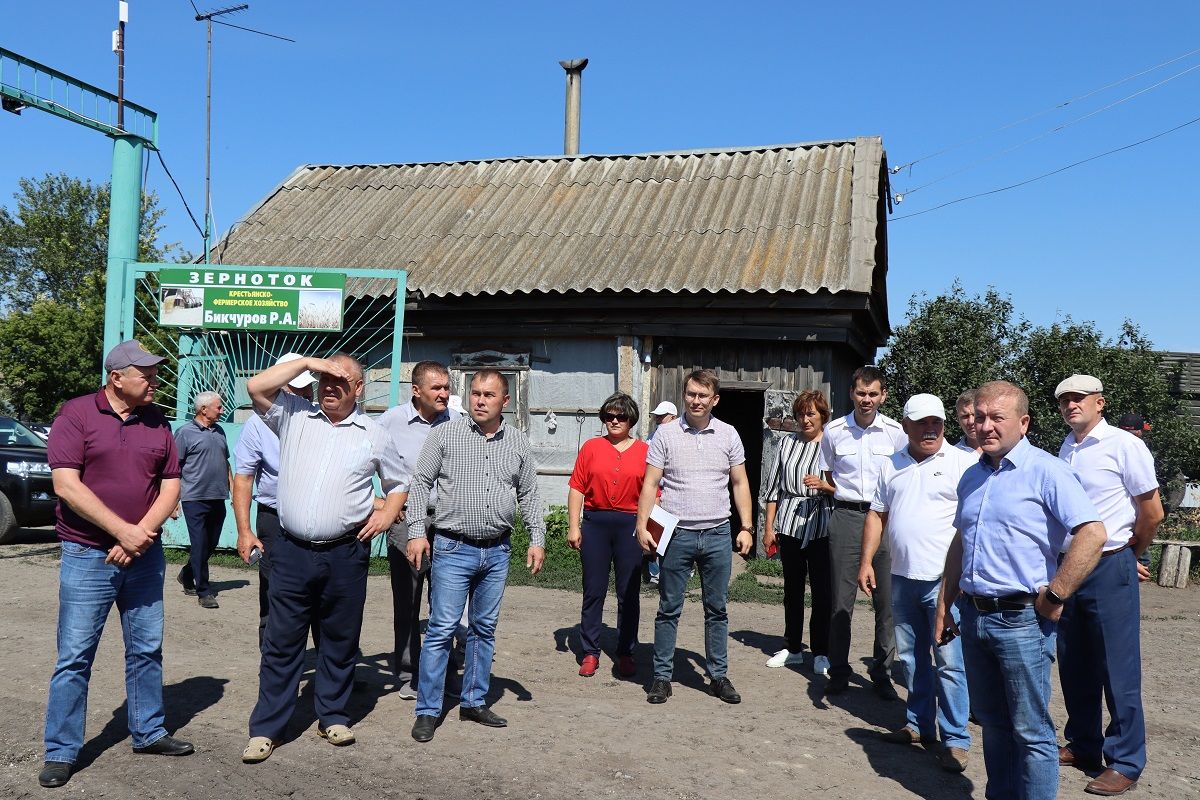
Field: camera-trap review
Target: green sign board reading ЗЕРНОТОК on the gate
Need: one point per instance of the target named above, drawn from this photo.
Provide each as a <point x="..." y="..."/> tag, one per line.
<point x="244" y="298"/>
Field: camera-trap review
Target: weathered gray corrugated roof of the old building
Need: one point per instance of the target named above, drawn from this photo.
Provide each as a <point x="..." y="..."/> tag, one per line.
<point x="796" y="218"/>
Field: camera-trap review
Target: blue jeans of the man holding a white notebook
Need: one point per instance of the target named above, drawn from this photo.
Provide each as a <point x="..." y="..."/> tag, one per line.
<point x="712" y="551"/>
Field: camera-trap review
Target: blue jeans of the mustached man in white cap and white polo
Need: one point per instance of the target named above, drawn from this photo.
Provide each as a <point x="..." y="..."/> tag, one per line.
<point x="938" y="697"/>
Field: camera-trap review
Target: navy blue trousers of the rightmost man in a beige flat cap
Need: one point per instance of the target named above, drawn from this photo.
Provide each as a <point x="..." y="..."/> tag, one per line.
<point x="1100" y="660"/>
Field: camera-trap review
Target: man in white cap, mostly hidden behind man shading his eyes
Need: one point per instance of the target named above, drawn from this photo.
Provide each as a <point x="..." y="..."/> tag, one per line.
<point x="257" y="460"/>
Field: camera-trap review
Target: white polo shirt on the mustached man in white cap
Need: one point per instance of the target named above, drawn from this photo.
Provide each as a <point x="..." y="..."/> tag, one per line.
<point x="921" y="500"/>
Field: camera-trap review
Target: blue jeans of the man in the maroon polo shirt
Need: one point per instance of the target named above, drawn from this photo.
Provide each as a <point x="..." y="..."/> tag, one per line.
<point x="88" y="588"/>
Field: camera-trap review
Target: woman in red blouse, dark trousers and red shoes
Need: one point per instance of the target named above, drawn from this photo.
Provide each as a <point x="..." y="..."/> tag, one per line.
<point x="602" y="510"/>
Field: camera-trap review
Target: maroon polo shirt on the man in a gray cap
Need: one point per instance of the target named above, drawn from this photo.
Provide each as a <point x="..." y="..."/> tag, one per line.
<point x="122" y="461"/>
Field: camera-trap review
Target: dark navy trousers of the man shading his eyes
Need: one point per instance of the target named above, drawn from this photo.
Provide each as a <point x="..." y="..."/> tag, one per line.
<point x="322" y="587"/>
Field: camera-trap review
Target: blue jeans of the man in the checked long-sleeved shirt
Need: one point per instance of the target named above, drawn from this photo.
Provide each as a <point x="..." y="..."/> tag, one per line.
<point x="461" y="570"/>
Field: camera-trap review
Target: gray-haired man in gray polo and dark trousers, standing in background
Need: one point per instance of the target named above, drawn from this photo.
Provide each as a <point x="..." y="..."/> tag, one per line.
<point x="205" y="489"/>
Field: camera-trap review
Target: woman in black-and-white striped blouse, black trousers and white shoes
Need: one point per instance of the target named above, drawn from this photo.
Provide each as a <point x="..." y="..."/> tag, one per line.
<point x="797" y="515"/>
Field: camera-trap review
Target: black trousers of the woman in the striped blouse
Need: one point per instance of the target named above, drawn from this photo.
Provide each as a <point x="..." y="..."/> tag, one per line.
<point x="809" y="563"/>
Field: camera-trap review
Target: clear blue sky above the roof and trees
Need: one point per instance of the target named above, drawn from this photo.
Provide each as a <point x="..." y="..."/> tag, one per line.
<point x="373" y="82"/>
